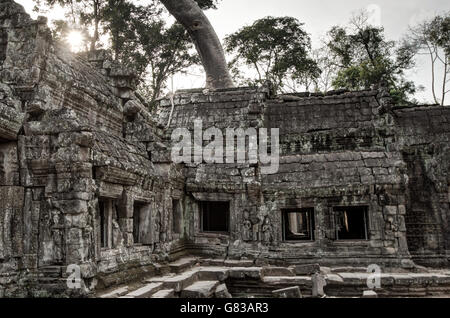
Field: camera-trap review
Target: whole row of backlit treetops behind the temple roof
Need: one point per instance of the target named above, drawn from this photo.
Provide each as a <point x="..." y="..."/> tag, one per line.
<point x="276" y="49"/>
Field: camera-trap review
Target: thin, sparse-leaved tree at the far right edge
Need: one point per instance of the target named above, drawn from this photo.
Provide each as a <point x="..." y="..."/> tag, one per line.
<point x="432" y="38"/>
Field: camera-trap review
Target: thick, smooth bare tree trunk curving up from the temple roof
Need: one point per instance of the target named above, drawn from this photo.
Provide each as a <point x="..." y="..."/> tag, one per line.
<point x="208" y="45"/>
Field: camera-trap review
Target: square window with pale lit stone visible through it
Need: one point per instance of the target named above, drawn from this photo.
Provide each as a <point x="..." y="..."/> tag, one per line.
<point x="298" y="225"/>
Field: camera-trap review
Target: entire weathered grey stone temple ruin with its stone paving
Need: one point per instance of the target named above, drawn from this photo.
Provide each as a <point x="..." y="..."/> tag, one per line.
<point x="86" y="179"/>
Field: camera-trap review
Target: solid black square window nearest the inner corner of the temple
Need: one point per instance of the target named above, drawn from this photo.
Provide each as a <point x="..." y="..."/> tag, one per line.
<point x="215" y="217"/>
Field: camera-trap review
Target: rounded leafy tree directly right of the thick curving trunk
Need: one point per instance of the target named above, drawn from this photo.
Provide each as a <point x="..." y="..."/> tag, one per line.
<point x="277" y="49"/>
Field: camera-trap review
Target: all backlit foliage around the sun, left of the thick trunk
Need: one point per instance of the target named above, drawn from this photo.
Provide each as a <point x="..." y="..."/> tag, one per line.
<point x="138" y="36"/>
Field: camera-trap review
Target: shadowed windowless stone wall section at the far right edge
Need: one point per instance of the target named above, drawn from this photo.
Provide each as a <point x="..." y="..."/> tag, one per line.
<point x="422" y="136"/>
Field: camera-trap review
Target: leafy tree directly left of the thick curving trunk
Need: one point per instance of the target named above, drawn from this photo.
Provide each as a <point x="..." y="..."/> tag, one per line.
<point x="155" y="49"/>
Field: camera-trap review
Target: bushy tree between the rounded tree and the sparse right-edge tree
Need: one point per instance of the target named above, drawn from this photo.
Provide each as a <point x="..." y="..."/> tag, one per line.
<point x="363" y="57"/>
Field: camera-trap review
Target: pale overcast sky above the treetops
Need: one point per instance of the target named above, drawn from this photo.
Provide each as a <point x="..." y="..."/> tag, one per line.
<point x="318" y="16"/>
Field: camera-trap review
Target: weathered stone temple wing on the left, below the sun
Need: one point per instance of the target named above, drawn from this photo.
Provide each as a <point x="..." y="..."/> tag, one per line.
<point x="75" y="139"/>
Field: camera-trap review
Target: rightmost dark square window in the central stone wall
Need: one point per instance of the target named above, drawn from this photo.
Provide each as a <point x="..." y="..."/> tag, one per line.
<point x="351" y="223"/>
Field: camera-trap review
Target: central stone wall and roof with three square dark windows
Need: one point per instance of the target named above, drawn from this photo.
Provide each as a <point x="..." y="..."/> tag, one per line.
<point x="333" y="154"/>
